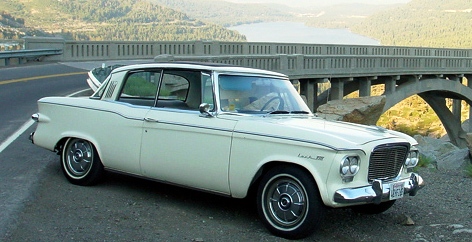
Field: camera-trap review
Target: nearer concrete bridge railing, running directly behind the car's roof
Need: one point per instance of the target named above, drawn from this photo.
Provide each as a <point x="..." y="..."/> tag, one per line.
<point x="325" y="66"/>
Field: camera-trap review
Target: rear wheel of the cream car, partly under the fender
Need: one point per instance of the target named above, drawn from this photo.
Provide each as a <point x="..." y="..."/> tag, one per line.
<point x="80" y="162"/>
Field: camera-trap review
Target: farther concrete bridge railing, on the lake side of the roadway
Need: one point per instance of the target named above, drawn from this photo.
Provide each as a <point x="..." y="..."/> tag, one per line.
<point x="103" y="50"/>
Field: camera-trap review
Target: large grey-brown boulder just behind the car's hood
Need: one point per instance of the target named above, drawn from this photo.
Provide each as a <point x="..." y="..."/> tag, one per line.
<point x="363" y="110"/>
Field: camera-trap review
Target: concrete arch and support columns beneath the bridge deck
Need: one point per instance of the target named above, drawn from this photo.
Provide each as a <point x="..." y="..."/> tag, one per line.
<point x="434" y="89"/>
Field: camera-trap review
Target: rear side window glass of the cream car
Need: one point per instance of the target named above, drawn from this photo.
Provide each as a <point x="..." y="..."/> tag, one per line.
<point x="140" y="88"/>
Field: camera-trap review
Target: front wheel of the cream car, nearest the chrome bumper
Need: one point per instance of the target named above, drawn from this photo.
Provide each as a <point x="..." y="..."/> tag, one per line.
<point x="289" y="203"/>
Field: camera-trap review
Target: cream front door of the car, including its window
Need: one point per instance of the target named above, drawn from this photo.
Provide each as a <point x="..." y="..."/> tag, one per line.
<point x="179" y="144"/>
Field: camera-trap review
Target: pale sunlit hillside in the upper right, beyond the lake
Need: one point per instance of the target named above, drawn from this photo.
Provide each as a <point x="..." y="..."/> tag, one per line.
<point x="427" y="23"/>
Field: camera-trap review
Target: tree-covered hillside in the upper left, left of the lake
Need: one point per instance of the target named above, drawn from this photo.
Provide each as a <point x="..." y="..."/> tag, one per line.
<point x="114" y="20"/>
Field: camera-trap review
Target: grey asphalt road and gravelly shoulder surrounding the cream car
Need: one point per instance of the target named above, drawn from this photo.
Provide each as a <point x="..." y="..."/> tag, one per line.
<point x="38" y="204"/>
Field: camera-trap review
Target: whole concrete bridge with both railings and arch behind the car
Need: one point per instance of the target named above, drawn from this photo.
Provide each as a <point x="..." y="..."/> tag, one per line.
<point x="435" y="74"/>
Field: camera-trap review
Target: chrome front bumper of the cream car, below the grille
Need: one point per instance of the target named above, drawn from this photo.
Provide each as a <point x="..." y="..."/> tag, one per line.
<point x="378" y="191"/>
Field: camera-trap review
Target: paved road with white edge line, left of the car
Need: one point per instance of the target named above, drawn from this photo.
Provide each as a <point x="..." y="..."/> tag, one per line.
<point x="21" y="162"/>
